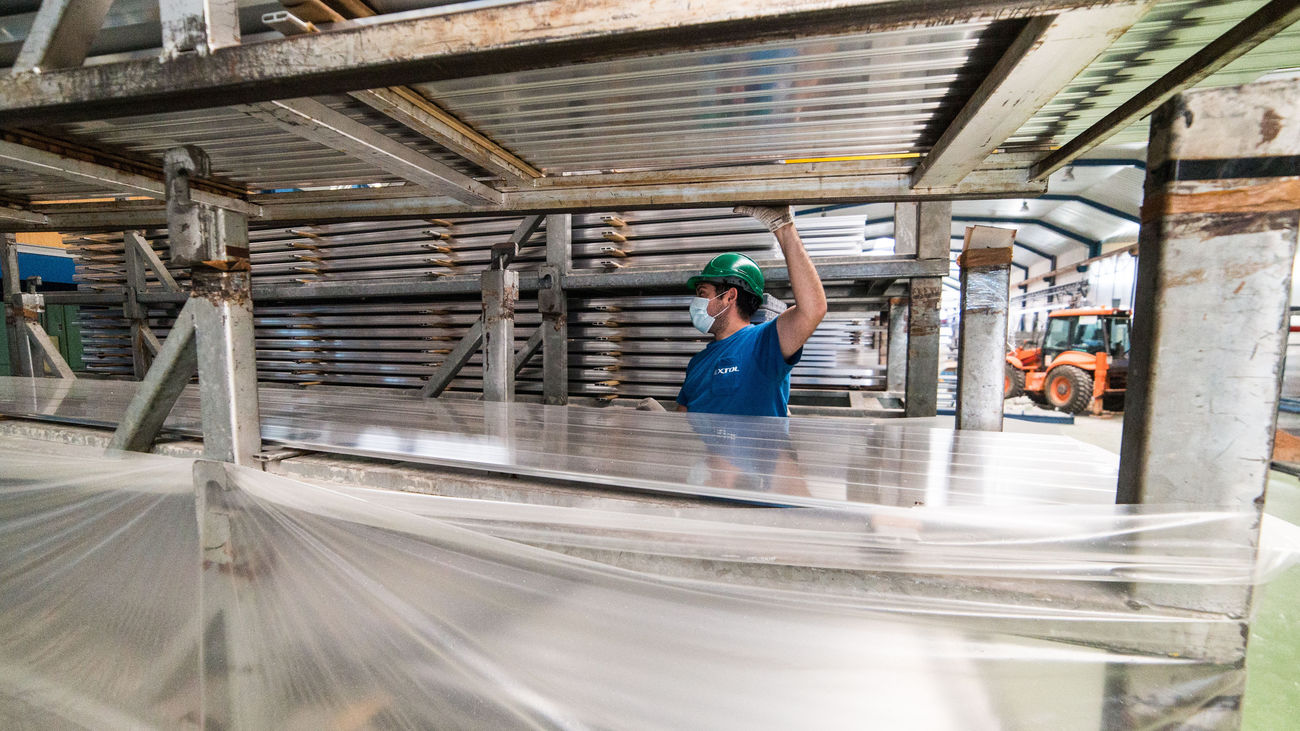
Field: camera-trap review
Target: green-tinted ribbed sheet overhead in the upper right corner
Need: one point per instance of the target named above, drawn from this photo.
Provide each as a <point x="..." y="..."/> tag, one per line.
<point x="1169" y="34"/>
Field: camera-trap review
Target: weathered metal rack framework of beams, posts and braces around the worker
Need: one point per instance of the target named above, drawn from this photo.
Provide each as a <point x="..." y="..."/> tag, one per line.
<point x="206" y="64"/>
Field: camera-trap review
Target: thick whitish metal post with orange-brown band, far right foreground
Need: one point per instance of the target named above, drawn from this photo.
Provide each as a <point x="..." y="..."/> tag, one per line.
<point x="1211" y="321"/>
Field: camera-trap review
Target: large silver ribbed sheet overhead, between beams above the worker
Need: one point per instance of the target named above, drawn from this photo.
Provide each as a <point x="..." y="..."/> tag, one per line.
<point x="866" y="94"/>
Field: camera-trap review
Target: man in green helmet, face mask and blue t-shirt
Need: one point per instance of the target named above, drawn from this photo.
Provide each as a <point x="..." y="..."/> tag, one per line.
<point x="747" y="370"/>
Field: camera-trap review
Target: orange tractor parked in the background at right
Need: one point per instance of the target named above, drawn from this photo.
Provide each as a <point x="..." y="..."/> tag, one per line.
<point x="1081" y="366"/>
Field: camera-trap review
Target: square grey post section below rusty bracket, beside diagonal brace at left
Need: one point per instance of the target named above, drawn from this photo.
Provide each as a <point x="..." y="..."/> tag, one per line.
<point x="228" y="365"/>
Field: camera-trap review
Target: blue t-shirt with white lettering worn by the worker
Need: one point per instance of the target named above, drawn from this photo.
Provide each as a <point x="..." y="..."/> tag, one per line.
<point x="744" y="374"/>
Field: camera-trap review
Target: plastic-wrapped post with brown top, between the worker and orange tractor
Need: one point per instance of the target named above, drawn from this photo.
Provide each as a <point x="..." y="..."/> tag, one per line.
<point x="986" y="266"/>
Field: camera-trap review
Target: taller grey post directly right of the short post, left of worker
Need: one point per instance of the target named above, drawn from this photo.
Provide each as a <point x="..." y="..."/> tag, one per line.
<point x="554" y="305"/>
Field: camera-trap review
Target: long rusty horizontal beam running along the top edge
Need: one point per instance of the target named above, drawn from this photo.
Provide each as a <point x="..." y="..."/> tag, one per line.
<point x="444" y="44"/>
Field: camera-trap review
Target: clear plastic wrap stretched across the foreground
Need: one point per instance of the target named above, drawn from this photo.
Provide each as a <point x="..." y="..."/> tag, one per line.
<point x="346" y="608"/>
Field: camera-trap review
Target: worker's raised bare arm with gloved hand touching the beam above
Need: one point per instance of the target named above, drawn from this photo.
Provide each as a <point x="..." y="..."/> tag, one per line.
<point x="795" y="327"/>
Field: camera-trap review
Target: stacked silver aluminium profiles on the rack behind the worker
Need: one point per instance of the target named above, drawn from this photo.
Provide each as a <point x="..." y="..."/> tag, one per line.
<point x="623" y="344"/>
